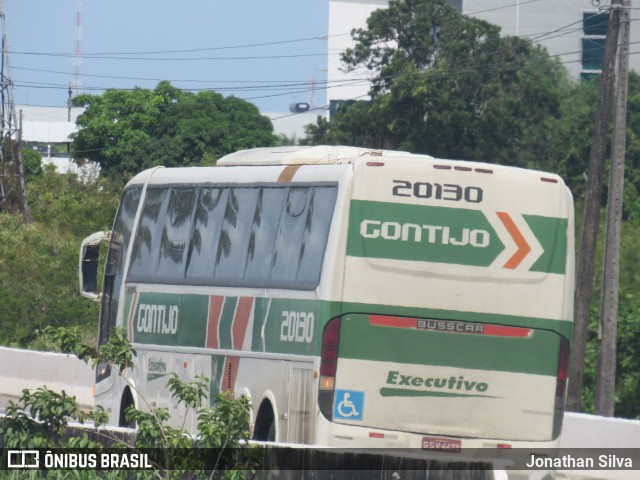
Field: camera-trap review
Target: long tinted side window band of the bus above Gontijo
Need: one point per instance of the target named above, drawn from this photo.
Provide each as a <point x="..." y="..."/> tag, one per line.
<point x="253" y="236"/>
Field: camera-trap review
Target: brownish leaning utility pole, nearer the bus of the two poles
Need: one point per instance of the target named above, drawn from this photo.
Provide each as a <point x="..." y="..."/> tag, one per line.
<point x="591" y="215"/>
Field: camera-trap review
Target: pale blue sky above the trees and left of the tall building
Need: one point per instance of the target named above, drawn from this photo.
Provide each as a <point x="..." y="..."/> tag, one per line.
<point x="269" y="52"/>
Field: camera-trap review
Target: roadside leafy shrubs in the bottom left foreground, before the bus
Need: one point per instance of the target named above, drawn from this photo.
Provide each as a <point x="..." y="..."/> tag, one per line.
<point x="41" y="419"/>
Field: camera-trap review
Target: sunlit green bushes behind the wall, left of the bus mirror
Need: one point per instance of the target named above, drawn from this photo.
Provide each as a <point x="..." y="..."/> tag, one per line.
<point x="39" y="261"/>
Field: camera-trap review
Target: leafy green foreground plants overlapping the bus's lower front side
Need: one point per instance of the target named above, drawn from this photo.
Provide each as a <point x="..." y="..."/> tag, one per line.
<point x="40" y="420"/>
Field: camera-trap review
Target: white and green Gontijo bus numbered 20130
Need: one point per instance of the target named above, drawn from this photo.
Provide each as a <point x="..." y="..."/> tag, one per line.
<point x="357" y="298"/>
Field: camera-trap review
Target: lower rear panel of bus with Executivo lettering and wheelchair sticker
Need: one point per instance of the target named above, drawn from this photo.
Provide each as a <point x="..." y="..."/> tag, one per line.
<point x="443" y="382"/>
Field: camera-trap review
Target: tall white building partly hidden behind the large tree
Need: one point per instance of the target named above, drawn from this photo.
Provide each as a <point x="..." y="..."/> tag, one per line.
<point x="567" y="28"/>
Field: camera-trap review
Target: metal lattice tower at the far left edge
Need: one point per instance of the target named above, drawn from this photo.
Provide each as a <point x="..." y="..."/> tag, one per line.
<point x="12" y="182"/>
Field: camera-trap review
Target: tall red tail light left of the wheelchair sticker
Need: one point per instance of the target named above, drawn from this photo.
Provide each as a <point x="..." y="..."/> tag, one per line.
<point x="328" y="367"/>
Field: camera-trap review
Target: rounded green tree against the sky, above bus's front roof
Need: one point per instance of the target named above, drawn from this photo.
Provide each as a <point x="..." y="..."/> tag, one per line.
<point x="128" y="131"/>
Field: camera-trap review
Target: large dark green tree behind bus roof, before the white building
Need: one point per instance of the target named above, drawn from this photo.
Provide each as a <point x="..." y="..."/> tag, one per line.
<point x="449" y="86"/>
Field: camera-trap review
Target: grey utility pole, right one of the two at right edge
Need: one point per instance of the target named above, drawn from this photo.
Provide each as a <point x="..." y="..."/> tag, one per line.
<point x="606" y="371"/>
